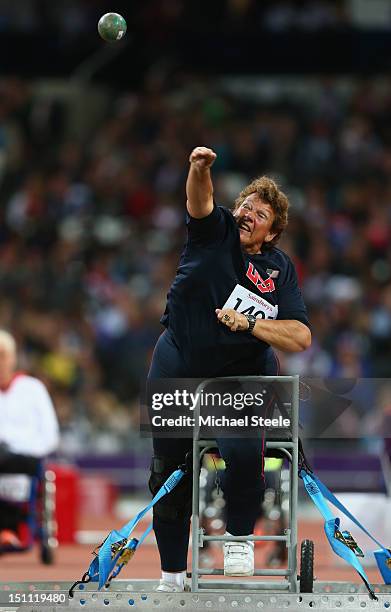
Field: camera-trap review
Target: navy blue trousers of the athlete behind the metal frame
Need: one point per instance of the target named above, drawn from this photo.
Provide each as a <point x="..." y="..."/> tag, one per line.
<point x="242" y="482"/>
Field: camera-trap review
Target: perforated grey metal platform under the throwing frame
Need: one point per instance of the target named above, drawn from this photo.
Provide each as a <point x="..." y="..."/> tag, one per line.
<point x="139" y="594"/>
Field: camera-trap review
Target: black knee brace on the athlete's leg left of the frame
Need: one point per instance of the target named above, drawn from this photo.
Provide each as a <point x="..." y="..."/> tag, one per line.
<point x="177" y="504"/>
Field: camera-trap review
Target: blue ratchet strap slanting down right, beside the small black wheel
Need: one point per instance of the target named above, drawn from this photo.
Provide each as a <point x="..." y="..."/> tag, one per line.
<point x="342" y="542"/>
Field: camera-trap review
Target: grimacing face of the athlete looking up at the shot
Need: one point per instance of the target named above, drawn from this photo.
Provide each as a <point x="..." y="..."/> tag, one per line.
<point x="255" y="219"/>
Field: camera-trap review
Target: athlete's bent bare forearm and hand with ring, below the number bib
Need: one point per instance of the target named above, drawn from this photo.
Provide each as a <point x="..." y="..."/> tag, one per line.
<point x="286" y="335"/>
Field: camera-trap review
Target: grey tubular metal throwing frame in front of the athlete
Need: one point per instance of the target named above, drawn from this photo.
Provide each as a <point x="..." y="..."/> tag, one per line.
<point x="198" y="538"/>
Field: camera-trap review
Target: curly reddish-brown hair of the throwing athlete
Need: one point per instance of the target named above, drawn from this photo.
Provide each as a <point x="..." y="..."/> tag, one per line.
<point x="269" y="192"/>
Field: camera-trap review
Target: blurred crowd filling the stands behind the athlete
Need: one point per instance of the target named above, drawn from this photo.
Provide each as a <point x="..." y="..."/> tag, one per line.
<point x="92" y="227"/>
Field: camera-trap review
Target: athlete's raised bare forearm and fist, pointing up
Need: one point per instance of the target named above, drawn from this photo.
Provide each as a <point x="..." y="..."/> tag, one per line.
<point x="199" y="186"/>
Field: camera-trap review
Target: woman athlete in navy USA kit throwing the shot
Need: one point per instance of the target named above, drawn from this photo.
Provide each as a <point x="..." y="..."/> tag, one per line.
<point x="229" y="257"/>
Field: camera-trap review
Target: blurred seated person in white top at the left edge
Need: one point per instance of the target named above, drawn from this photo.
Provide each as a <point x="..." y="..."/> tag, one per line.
<point x="28" y="433"/>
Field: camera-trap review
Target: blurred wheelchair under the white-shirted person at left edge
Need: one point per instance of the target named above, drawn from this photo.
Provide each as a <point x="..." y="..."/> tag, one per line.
<point x="29" y="501"/>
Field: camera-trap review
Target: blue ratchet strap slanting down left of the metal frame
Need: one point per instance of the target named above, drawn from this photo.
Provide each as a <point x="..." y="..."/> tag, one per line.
<point x="118" y="547"/>
